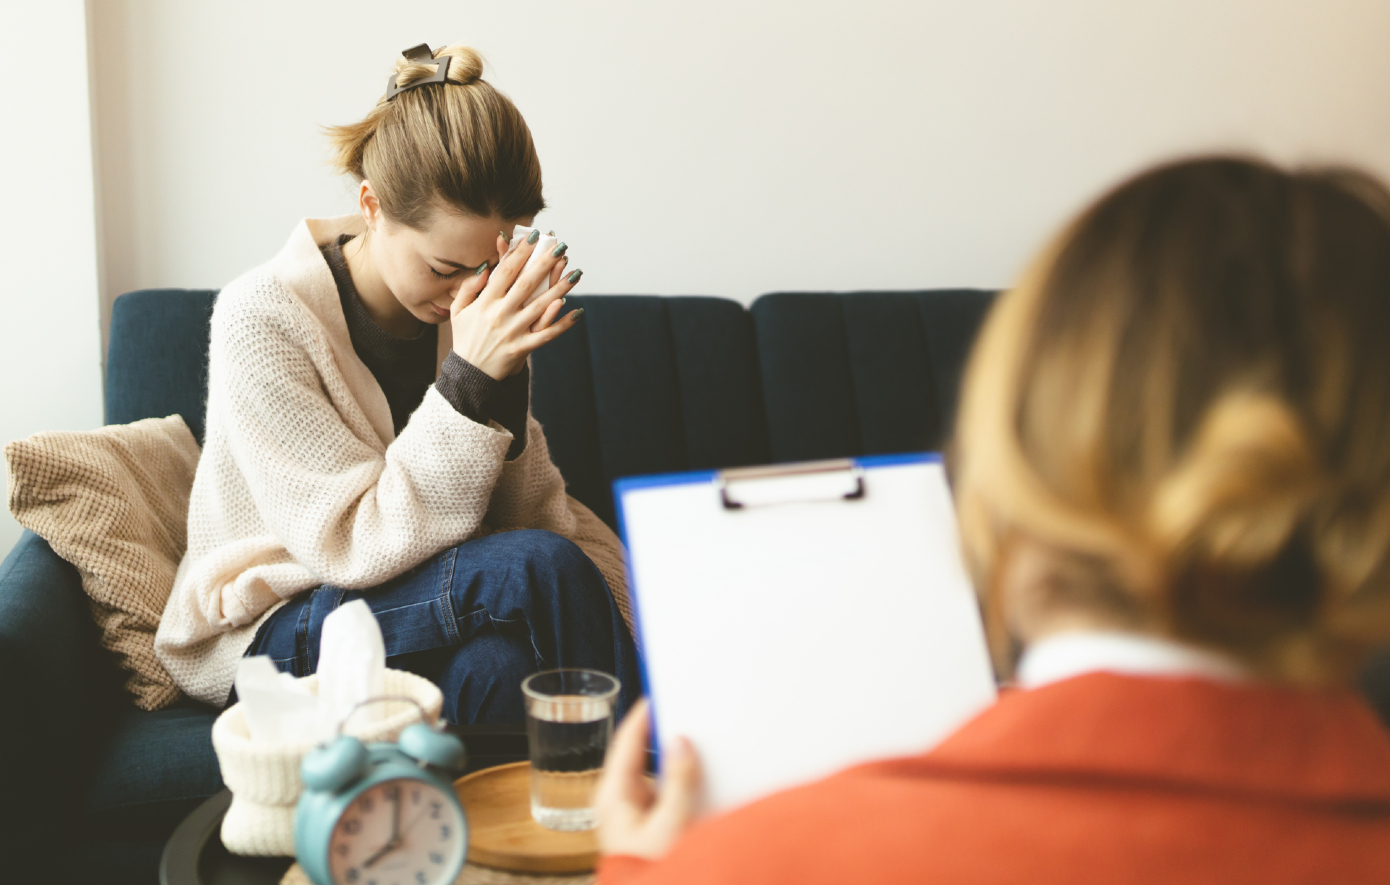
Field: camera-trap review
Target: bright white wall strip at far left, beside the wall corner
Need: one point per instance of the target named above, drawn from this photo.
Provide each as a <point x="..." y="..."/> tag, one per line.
<point x="51" y="372"/>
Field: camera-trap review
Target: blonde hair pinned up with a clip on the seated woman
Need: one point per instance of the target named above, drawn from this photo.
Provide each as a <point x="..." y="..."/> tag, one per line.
<point x="461" y="147"/>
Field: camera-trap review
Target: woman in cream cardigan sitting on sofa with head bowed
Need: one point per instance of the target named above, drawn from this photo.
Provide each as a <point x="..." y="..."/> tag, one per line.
<point x="369" y="429"/>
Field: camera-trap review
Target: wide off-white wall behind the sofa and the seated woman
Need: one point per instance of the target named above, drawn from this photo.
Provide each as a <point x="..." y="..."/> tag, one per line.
<point x="730" y="147"/>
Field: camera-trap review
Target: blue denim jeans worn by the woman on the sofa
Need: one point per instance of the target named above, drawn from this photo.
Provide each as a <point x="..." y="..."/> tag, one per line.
<point x="476" y="620"/>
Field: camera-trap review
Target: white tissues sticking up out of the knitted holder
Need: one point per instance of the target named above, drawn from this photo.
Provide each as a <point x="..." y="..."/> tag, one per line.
<point x="352" y="666"/>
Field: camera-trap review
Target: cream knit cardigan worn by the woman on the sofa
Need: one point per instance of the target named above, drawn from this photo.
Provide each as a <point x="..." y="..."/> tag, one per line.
<point x="304" y="481"/>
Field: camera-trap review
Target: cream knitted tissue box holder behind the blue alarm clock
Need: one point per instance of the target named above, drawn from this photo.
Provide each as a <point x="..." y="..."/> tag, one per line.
<point x="265" y="777"/>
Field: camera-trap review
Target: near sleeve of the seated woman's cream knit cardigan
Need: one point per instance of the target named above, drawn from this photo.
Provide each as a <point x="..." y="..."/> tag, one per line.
<point x="351" y="511"/>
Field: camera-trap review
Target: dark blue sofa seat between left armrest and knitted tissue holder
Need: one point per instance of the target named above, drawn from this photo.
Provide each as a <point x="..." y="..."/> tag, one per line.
<point x="152" y="770"/>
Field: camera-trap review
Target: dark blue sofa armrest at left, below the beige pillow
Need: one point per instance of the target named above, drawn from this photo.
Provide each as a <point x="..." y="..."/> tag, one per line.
<point x="49" y="673"/>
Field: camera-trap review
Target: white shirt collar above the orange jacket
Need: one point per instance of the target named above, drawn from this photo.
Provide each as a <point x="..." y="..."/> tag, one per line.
<point x="1070" y="655"/>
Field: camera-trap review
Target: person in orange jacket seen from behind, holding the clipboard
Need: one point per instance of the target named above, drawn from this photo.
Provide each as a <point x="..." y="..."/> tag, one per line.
<point x="1172" y="474"/>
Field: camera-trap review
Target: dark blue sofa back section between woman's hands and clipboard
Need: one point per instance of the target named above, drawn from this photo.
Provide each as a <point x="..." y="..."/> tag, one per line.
<point x="648" y="386"/>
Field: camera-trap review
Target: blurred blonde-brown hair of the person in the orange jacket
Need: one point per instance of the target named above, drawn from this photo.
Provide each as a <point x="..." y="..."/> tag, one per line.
<point x="1186" y="408"/>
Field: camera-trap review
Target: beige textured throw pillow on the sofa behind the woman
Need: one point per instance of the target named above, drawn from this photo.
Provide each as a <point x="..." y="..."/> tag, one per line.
<point x="115" y="504"/>
